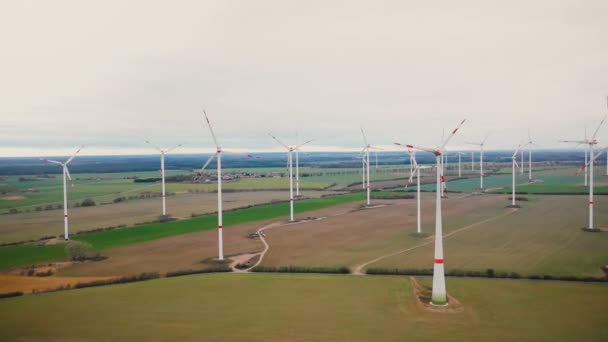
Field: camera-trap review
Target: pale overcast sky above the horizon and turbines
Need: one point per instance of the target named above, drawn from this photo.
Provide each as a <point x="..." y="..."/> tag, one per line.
<point x="109" y="74"/>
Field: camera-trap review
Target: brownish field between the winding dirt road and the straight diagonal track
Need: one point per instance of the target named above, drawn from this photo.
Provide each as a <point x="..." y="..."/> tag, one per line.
<point x="349" y="239"/>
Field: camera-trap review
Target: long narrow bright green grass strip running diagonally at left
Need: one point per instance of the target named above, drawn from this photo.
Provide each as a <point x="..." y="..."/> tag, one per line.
<point x="16" y="256"/>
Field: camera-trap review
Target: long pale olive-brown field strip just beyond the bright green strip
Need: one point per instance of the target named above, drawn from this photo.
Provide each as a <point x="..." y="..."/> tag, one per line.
<point x="34" y="225"/>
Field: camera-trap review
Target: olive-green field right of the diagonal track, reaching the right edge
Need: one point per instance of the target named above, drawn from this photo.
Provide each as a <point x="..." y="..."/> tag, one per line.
<point x="544" y="237"/>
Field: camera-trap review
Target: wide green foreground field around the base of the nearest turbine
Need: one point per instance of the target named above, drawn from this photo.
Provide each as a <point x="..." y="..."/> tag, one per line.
<point x="270" y="307"/>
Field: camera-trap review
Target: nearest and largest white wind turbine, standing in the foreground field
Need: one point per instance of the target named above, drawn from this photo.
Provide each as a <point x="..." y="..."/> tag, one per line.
<point x="439" y="296"/>
